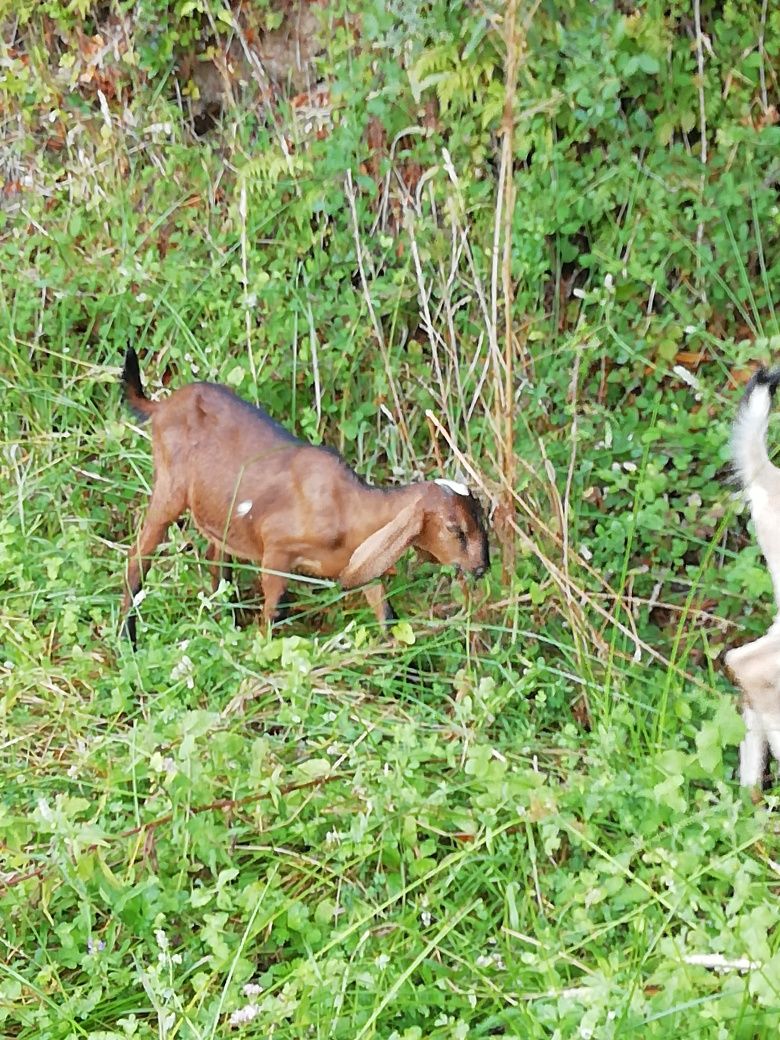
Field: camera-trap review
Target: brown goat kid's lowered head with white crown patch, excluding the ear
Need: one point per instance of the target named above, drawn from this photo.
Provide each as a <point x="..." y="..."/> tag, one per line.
<point x="454" y="529"/>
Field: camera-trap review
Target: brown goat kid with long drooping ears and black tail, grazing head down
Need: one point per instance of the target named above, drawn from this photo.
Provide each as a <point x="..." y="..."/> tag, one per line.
<point x="258" y="493"/>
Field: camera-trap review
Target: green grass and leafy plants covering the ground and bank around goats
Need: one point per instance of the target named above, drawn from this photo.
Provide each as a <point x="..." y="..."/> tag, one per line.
<point x="517" y="822"/>
